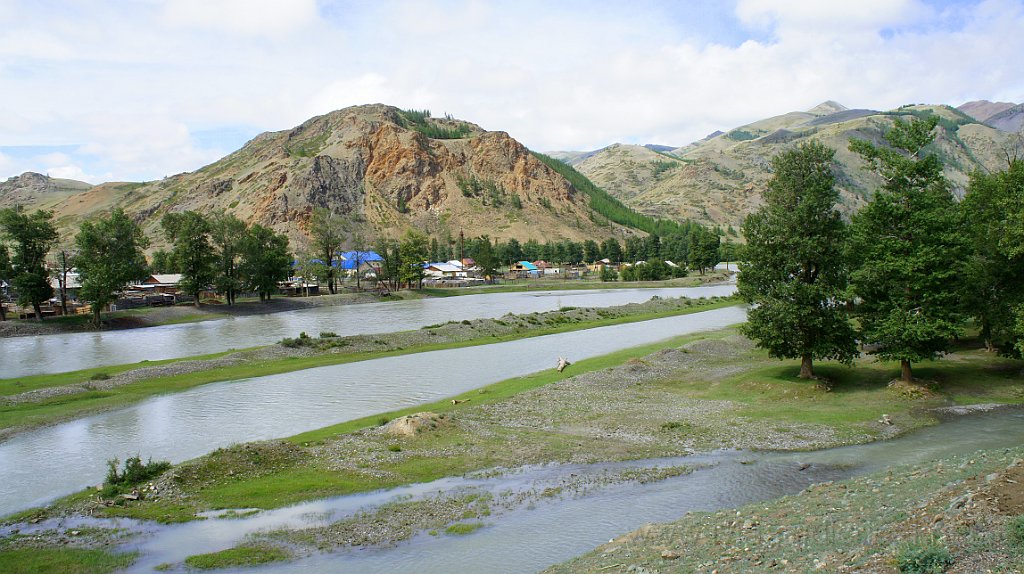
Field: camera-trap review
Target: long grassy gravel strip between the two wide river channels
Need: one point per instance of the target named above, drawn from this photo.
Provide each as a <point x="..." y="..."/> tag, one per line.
<point x="64" y="408"/>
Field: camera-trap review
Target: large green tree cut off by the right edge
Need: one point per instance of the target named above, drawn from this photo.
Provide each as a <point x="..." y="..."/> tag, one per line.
<point x="994" y="219"/>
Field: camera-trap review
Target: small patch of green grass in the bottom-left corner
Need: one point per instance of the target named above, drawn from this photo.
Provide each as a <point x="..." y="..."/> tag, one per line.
<point x="63" y="561"/>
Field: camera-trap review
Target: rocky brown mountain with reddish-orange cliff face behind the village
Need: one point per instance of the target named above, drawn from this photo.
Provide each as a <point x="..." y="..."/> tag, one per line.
<point x="382" y="169"/>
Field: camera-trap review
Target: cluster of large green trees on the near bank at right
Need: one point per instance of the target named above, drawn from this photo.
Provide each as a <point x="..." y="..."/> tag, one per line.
<point x="912" y="268"/>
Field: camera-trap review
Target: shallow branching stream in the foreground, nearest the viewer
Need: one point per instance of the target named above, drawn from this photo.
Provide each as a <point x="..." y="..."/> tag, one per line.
<point x="549" y="531"/>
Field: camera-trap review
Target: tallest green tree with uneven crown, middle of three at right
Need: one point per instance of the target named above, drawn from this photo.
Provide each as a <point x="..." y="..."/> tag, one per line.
<point x="910" y="250"/>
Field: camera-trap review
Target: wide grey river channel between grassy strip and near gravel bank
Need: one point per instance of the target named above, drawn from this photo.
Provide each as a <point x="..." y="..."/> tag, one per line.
<point x="41" y="465"/>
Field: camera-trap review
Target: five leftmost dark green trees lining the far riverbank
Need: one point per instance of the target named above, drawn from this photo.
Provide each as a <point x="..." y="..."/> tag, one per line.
<point x="219" y="252"/>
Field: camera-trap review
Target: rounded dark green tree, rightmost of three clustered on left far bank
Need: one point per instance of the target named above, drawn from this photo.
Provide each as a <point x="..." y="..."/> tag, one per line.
<point x="266" y="260"/>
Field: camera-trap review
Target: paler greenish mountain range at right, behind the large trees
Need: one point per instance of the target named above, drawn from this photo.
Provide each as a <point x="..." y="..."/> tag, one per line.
<point x="720" y="180"/>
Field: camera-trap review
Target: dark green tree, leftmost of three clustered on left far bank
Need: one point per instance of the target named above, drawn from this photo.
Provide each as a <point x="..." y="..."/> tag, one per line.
<point x="190" y="237"/>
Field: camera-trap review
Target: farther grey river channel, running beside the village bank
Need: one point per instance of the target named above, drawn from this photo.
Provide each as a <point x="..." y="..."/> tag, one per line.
<point x="22" y="357"/>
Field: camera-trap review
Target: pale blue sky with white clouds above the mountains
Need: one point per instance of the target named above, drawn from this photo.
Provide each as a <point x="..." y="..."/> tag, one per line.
<point x="137" y="91"/>
